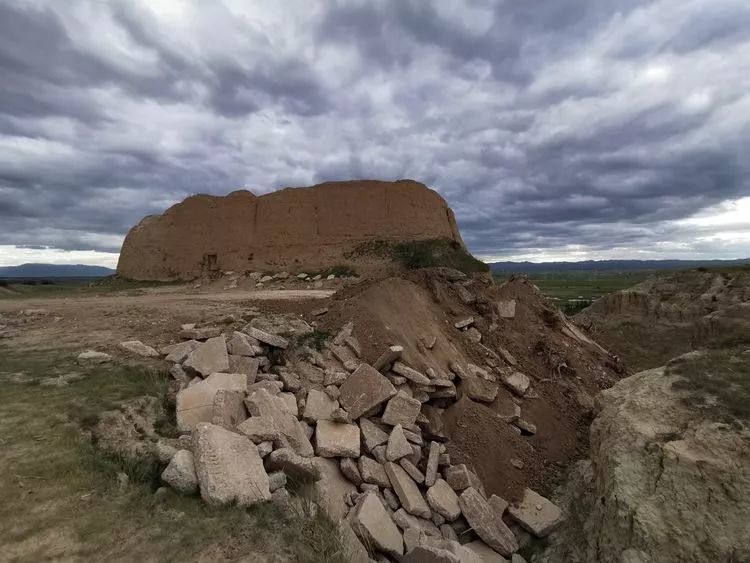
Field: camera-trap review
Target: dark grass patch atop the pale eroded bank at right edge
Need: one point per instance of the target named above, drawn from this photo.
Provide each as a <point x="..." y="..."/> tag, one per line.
<point x="717" y="382"/>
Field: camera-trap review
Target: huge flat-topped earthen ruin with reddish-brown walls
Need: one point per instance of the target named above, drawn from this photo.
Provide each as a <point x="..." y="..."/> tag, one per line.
<point x="297" y="229"/>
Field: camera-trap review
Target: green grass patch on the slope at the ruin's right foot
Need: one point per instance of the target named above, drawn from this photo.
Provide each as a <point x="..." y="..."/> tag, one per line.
<point x="413" y="255"/>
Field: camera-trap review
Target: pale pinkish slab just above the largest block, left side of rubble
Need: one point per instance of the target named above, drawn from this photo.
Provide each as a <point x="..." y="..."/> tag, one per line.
<point x="195" y="403"/>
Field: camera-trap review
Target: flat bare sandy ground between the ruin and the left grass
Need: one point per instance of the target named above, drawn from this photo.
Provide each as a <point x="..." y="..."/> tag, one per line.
<point x="153" y="316"/>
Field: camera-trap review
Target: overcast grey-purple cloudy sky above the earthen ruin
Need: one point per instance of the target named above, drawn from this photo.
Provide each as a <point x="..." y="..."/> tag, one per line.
<point x="556" y="130"/>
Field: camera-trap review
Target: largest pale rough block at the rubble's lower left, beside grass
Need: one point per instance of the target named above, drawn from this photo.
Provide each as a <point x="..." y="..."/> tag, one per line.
<point x="228" y="467"/>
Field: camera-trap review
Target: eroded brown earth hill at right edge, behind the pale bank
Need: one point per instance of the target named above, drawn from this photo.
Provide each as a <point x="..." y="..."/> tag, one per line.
<point x="669" y="315"/>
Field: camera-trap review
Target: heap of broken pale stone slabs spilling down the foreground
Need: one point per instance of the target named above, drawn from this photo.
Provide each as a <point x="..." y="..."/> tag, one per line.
<point x="258" y="411"/>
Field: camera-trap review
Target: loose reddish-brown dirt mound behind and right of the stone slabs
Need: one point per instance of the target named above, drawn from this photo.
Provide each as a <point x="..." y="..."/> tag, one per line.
<point x="419" y="312"/>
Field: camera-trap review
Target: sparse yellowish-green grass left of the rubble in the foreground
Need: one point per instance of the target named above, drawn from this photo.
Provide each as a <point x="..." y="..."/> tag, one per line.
<point x="61" y="499"/>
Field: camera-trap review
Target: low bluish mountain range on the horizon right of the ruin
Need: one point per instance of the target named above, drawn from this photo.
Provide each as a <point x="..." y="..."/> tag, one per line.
<point x="604" y="265"/>
